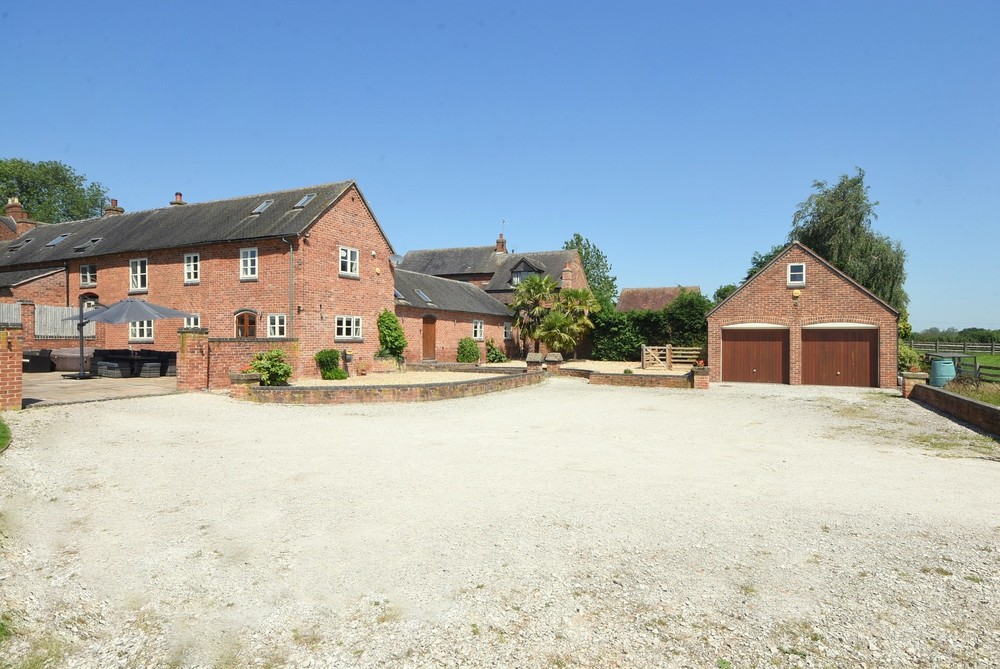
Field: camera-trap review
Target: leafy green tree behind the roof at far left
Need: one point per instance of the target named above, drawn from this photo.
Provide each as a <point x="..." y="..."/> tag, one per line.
<point x="51" y="191"/>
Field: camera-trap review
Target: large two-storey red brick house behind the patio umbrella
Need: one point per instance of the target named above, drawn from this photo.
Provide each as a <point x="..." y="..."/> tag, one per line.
<point x="306" y="269"/>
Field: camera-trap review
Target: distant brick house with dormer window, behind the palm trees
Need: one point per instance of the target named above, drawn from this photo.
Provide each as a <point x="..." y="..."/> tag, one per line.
<point x="496" y="270"/>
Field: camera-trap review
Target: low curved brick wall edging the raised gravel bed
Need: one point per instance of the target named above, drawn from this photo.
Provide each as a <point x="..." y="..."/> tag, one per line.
<point x="391" y="393"/>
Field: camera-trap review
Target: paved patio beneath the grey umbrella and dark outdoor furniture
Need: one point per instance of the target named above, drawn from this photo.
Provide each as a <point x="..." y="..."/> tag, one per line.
<point x="46" y="389"/>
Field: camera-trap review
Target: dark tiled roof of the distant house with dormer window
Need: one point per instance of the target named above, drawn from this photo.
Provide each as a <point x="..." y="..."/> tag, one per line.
<point x="484" y="260"/>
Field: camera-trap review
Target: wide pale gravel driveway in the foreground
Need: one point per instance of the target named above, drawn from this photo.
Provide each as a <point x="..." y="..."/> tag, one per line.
<point x="558" y="525"/>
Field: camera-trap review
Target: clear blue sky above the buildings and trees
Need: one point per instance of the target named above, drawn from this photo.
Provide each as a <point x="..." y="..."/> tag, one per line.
<point x="678" y="137"/>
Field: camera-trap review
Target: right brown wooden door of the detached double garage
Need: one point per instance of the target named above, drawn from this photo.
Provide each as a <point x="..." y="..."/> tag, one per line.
<point x="840" y="357"/>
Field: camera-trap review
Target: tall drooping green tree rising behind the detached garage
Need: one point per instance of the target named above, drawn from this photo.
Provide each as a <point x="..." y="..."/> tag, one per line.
<point x="836" y="223"/>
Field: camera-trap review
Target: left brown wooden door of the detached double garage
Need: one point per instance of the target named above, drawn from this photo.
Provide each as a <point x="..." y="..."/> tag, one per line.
<point x="759" y="356"/>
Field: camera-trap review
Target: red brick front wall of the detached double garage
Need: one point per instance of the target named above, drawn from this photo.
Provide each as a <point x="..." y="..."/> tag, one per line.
<point x="827" y="297"/>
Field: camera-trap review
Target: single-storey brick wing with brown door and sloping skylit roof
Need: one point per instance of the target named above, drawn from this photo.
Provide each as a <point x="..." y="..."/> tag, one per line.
<point x="436" y="313"/>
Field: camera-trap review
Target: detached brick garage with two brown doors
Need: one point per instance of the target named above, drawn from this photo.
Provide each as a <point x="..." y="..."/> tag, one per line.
<point x="801" y="321"/>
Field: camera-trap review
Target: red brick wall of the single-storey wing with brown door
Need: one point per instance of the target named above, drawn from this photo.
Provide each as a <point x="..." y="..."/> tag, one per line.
<point x="450" y="327"/>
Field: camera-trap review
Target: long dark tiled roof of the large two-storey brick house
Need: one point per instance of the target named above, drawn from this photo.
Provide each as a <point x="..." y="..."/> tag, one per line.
<point x="177" y="226"/>
